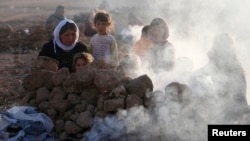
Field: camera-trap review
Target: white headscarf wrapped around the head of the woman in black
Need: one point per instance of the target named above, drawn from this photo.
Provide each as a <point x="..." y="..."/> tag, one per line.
<point x="57" y="36"/>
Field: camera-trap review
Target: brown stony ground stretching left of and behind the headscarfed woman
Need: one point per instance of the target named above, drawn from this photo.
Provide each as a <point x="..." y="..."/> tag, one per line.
<point x="22" y="35"/>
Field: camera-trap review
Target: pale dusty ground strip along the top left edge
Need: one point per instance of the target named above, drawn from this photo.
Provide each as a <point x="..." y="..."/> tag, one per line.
<point x="12" y="10"/>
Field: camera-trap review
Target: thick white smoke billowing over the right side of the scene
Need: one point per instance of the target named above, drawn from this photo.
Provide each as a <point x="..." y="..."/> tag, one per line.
<point x="193" y="25"/>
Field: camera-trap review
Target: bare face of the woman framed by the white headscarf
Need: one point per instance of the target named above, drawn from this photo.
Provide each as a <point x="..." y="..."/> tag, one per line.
<point x="68" y="37"/>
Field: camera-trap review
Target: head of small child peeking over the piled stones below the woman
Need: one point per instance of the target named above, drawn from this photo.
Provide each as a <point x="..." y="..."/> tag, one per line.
<point x="81" y="59"/>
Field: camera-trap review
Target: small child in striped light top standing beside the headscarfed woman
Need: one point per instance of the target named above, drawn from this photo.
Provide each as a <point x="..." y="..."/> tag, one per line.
<point x="103" y="45"/>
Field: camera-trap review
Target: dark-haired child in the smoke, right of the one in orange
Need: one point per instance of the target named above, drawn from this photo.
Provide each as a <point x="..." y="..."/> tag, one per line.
<point x="161" y="55"/>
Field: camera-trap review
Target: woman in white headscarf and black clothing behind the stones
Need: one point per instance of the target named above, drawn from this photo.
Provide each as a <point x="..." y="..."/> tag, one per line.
<point x="64" y="45"/>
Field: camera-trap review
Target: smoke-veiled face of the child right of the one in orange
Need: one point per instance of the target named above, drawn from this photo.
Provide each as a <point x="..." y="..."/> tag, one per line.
<point x="156" y="34"/>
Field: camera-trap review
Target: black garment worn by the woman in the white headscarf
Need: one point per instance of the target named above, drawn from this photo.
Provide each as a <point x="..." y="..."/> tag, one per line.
<point x="65" y="58"/>
